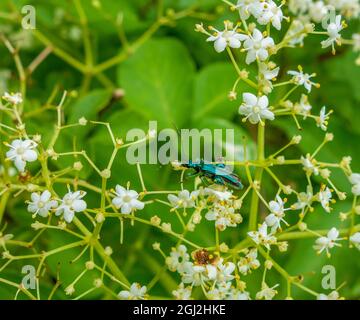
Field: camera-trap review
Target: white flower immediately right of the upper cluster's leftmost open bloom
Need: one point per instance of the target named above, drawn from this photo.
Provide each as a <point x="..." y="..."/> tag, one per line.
<point x="257" y="47"/>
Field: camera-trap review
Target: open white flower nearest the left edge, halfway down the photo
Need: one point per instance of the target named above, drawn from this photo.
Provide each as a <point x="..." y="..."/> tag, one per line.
<point x="22" y="151"/>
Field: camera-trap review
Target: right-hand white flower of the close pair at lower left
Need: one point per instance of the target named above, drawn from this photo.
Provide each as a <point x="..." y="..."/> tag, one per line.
<point x="71" y="203"/>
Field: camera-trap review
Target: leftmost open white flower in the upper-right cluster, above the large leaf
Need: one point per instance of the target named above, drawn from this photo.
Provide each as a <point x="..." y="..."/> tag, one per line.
<point x="226" y="38"/>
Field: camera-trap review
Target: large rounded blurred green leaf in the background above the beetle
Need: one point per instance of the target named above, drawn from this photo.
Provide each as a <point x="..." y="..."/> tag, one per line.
<point x="158" y="82"/>
